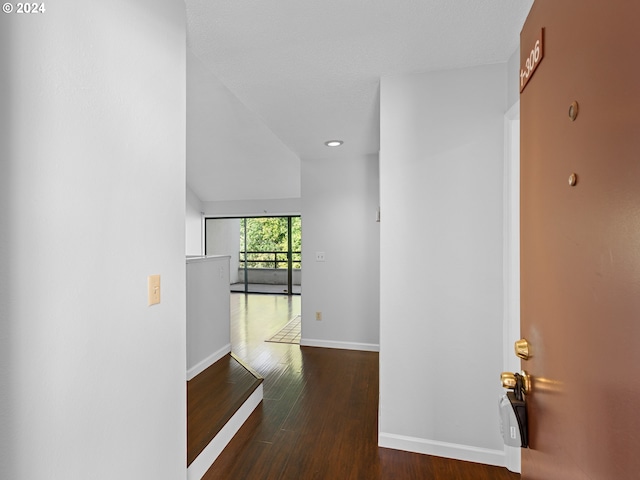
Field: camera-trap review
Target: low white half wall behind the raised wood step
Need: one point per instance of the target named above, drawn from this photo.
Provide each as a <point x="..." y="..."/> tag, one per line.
<point x="208" y="312"/>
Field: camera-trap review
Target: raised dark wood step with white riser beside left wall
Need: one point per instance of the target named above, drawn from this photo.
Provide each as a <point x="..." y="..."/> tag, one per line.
<point x="219" y="400"/>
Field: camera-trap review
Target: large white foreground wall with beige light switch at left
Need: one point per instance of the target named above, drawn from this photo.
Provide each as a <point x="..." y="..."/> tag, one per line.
<point x="92" y="181"/>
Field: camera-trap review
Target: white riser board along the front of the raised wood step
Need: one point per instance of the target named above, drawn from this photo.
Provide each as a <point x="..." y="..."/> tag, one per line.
<point x="203" y="462"/>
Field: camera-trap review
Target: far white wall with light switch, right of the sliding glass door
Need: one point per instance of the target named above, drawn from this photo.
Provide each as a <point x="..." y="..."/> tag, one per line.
<point x="340" y="199"/>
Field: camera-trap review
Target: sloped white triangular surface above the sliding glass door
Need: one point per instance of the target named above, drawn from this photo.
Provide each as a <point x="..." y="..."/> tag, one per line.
<point x="232" y="154"/>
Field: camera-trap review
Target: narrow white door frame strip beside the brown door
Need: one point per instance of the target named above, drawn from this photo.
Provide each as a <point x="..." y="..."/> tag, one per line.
<point x="511" y="256"/>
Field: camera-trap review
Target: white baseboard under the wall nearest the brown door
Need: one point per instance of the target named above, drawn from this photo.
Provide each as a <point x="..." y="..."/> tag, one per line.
<point x="442" y="449"/>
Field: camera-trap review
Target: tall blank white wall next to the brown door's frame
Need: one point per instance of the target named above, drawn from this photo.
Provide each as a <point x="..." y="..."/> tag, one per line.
<point x="441" y="184"/>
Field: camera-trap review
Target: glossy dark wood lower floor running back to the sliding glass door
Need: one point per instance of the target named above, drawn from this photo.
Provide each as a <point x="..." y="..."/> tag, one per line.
<point x="318" y="419"/>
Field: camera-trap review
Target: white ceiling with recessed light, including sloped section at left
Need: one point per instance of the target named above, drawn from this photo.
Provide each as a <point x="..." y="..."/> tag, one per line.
<point x="300" y="72"/>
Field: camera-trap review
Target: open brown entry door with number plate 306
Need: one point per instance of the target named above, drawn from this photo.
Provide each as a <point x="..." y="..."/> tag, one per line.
<point x="580" y="245"/>
